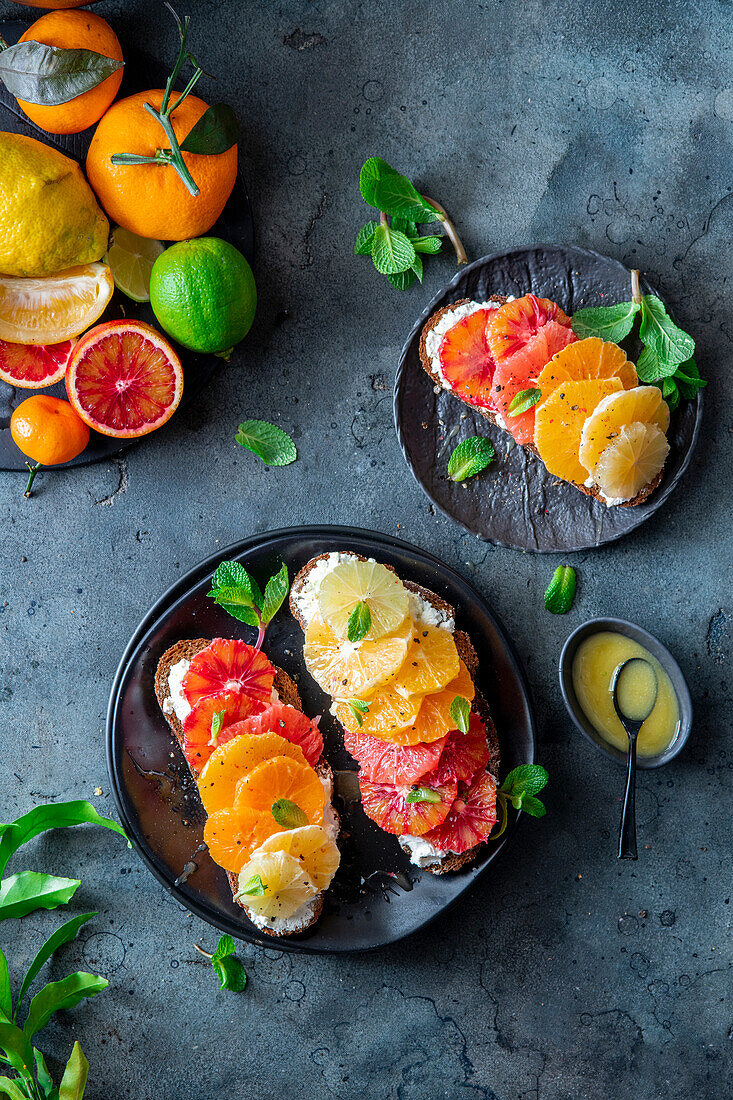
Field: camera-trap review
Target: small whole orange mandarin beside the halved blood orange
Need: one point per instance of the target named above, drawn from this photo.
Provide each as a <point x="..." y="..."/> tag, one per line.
<point x="49" y="431"/>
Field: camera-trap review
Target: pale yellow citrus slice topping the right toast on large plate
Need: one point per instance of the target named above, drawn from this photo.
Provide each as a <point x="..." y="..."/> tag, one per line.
<point x="363" y="582"/>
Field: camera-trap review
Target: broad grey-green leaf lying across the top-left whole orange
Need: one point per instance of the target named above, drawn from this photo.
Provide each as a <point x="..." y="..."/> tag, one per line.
<point x="52" y="75"/>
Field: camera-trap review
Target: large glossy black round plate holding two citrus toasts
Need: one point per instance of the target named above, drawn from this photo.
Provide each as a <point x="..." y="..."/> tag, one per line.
<point x="157" y="798"/>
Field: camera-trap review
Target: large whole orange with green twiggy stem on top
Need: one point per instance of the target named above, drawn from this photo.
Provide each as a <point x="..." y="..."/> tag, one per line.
<point x="152" y="200"/>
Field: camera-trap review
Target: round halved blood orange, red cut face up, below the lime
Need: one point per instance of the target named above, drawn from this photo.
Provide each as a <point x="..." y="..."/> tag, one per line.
<point x="125" y="380"/>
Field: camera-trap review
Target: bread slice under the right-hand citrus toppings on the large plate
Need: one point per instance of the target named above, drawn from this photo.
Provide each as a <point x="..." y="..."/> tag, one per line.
<point x="453" y="862"/>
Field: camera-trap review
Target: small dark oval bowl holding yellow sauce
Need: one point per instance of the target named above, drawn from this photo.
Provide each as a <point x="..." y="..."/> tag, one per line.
<point x="668" y="663"/>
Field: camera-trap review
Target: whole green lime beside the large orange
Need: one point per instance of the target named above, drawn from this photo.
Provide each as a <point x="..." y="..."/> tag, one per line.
<point x="203" y="294"/>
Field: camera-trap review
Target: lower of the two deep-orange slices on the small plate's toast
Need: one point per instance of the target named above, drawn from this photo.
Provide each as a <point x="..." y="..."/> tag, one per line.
<point x="560" y="424"/>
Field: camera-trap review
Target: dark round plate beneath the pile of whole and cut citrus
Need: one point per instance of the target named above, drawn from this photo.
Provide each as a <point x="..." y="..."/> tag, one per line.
<point x="236" y="225"/>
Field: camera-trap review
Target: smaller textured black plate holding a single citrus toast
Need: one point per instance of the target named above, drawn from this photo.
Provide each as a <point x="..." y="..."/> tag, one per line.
<point x="517" y="503"/>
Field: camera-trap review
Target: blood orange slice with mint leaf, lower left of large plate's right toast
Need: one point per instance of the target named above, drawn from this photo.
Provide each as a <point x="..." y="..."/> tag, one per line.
<point x="388" y="805"/>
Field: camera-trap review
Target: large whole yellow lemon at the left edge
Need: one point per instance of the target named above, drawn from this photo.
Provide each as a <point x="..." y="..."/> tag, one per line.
<point x="50" y="219"/>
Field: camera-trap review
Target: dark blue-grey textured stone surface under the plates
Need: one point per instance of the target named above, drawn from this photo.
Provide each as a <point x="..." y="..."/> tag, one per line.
<point x="565" y="974"/>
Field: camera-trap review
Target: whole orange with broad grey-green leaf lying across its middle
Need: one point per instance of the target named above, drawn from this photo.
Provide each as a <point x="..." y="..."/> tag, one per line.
<point x="75" y="30"/>
